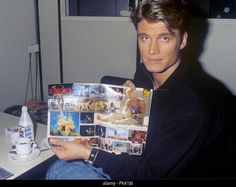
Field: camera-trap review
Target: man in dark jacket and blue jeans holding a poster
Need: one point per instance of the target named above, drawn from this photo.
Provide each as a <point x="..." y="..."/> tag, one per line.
<point x="185" y="134"/>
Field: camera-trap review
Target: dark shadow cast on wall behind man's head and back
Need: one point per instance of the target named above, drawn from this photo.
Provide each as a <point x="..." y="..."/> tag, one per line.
<point x="196" y="37"/>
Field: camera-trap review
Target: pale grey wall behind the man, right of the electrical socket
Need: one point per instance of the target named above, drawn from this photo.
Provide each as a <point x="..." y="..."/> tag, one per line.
<point x="89" y="51"/>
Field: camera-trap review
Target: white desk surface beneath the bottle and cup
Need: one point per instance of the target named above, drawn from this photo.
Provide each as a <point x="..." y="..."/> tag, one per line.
<point x="20" y="168"/>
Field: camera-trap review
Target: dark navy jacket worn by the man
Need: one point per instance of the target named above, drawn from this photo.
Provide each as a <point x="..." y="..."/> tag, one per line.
<point x="186" y="134"/>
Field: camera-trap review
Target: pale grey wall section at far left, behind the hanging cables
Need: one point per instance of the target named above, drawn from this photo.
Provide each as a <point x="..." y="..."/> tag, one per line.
<point x="17" y="32"/>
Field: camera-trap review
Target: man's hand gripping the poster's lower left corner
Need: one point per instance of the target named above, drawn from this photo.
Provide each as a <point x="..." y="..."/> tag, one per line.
<point x="69" y="150"/>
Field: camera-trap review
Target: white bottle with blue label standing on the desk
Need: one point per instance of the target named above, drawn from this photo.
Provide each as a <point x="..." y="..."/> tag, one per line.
<point x="25" y="125"/>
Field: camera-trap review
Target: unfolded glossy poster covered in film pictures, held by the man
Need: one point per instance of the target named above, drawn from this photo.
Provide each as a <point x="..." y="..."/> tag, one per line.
<point x="109" y="117"/>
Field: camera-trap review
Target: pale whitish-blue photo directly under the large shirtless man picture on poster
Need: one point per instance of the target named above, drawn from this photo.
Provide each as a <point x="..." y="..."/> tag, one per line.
<point x="117" y="133"/>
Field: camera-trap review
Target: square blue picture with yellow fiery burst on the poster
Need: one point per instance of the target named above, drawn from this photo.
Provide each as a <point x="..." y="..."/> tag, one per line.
<point x="64" y="123"/>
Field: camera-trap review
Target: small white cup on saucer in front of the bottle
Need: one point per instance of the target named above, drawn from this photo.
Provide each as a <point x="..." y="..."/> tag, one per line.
<point x="23" y="147"/>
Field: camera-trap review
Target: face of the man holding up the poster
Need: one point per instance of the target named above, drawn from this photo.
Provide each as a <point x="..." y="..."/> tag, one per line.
<point x="159" y="48"/>
